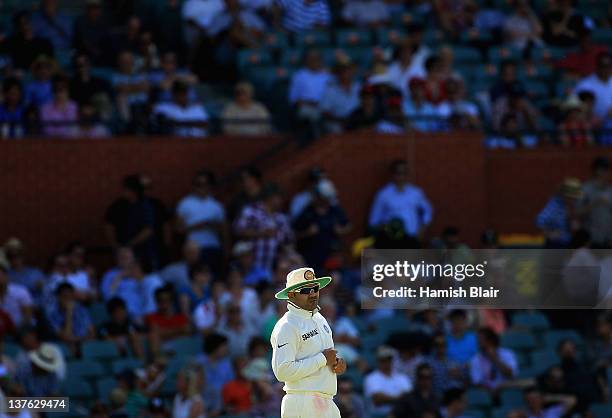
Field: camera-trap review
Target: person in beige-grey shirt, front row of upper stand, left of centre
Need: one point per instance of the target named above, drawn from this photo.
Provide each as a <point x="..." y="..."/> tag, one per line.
<point x="245" y="116"/>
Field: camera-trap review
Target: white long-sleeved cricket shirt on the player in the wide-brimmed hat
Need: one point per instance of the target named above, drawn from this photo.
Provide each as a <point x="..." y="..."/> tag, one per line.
<point x="298" y="341"/>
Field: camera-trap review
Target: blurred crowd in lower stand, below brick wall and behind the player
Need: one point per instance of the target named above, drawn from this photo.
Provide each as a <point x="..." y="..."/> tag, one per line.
<point x="159" y="335"/>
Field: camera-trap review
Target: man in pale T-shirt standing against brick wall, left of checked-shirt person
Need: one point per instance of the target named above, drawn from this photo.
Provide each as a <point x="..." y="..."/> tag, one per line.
<point x="202" y="218"/>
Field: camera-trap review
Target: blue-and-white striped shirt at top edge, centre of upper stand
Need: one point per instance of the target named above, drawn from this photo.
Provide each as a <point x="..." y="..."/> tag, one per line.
<point x="302" y="15"/>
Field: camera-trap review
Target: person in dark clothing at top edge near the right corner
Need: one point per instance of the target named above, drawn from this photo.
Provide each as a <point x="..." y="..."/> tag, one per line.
<point x="562" y="26"/>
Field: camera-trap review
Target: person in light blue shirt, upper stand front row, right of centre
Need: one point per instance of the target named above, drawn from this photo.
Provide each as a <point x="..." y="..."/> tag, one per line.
<point x="422" y="115"/>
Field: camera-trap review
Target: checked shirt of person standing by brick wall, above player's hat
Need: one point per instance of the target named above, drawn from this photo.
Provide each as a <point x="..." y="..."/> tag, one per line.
<point x="255" y="217"/>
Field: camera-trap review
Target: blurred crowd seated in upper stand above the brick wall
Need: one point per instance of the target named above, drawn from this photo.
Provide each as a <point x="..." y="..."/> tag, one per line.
<point x="523" y="71"/>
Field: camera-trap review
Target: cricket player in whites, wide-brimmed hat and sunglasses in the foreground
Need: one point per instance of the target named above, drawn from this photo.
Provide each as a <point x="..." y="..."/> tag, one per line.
<point x="303" y="354"/>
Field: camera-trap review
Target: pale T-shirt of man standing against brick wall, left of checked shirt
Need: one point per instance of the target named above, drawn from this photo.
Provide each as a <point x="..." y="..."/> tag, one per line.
<point x="195" y="209"/>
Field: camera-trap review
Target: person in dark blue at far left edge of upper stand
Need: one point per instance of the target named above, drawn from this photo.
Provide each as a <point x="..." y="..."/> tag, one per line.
<point x="12" y="110"/>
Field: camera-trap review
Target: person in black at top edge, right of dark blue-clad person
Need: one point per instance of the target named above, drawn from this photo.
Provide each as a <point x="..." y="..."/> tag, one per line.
<point x="91" y="32"/>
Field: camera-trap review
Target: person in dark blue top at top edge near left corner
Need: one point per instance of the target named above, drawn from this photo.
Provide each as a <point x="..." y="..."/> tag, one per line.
<point x="52" y="25"/>
